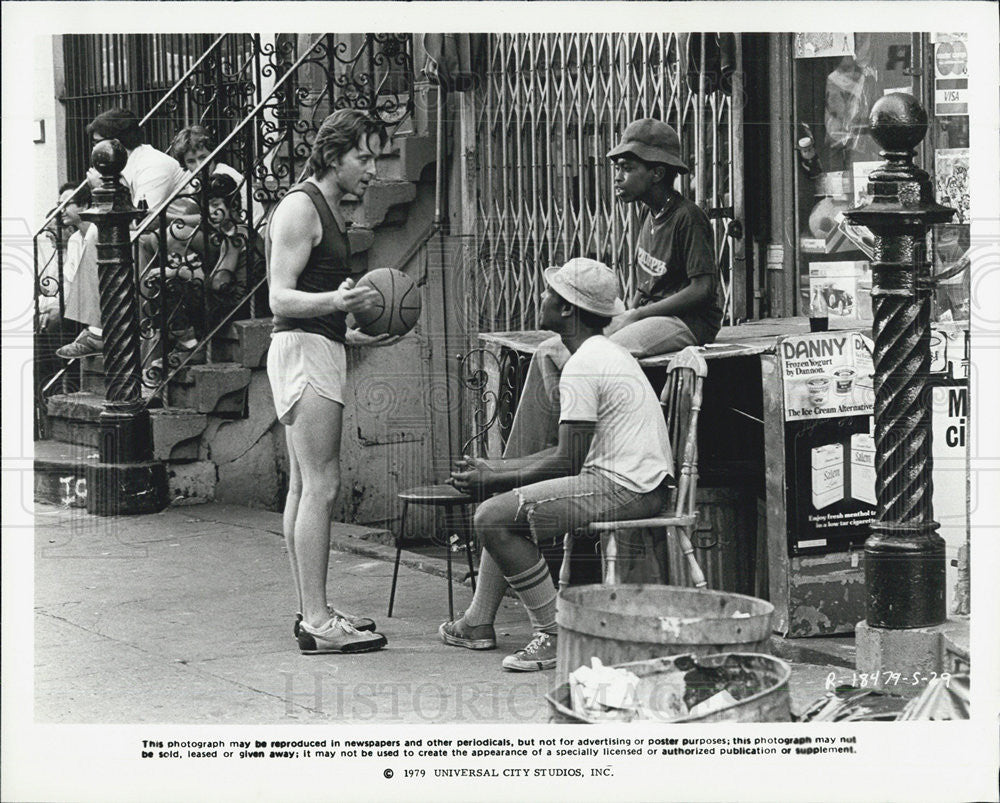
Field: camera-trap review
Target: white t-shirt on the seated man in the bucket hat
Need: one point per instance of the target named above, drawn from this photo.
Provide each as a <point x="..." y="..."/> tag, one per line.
<point x="602" y="382"/>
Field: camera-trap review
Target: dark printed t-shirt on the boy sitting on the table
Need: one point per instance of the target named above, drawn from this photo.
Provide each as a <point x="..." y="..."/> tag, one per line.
<point x="675" y="245"/>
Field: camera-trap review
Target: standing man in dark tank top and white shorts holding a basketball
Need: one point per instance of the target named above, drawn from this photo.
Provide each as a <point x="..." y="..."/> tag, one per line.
<point x="311" y="291"/>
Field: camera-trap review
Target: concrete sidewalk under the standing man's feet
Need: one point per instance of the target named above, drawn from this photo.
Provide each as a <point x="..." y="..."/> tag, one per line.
<point x="186" y="616"/>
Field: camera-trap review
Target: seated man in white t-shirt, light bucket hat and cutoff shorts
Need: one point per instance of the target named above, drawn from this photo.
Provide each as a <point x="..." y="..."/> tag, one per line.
<point x="611" y="462"/>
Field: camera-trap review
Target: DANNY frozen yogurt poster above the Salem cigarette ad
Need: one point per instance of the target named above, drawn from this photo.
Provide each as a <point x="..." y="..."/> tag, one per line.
<point x="827" y="375"/>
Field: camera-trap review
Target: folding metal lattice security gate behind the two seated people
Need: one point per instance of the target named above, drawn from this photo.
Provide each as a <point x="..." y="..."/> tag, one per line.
<point x="550" y="107"/>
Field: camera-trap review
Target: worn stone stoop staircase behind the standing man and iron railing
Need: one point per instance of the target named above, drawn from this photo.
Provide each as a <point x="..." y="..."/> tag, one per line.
<point x="213" y="413"/>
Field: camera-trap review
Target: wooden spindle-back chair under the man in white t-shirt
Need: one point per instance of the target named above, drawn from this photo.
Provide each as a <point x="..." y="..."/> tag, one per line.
<point x="681" y="400"/>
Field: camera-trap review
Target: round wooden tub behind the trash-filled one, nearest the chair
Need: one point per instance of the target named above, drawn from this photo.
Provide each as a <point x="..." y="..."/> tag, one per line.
<point x="635" y="622"/>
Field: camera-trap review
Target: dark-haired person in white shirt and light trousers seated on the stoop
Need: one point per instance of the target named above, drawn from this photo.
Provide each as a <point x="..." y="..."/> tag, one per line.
<point x="150" y="176"/>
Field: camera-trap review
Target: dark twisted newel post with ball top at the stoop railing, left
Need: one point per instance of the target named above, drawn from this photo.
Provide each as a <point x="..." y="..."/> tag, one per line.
<point x="127" y="479"/>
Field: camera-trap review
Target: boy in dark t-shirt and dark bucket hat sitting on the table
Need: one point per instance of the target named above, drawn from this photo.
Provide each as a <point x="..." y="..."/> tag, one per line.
<point x="678" y="301"/>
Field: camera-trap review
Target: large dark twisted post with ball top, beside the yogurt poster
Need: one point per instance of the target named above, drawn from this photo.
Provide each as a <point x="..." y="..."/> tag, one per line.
<point x="904" y="556"/>
